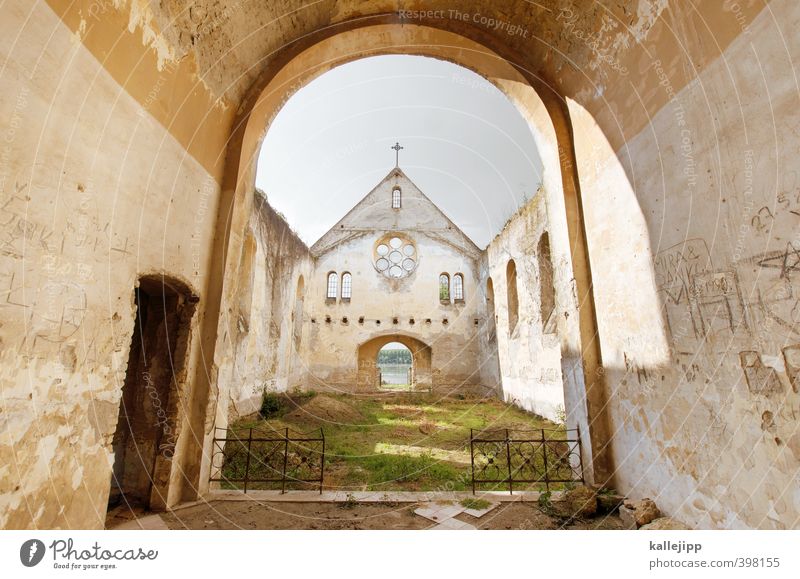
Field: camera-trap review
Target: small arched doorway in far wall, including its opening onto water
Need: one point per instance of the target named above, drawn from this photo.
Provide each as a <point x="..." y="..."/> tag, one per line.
<point x="377" y="372"/>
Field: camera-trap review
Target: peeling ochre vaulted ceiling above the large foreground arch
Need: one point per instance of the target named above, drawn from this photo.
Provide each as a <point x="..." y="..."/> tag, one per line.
<point x="598" y="52"/>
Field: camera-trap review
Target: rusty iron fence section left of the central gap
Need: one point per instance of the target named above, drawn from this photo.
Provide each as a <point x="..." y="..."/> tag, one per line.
<point x="267" y="459"/>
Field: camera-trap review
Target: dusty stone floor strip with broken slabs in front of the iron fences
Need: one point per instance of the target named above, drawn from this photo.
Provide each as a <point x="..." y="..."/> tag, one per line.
<point x="301" y="510"/>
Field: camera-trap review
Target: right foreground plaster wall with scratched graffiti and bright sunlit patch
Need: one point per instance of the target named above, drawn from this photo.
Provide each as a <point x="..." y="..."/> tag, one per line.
<point x="693" y="242"/>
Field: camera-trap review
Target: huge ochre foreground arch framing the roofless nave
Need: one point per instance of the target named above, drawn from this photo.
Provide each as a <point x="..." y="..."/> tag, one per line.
<point x="548" y="118"/>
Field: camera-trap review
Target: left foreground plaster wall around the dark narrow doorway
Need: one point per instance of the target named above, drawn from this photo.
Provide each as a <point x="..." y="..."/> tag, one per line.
<point x="95" y="193"/>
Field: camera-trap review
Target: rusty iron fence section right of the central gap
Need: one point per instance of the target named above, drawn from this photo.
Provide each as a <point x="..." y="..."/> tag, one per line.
<point x="525" y="457"/>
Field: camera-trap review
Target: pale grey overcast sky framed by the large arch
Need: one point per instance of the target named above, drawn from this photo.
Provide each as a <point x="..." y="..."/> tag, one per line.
<point x="466" y="146"/>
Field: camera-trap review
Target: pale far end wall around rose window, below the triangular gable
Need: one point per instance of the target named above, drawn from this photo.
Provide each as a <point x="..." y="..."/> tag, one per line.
<point x="337" y="329"/>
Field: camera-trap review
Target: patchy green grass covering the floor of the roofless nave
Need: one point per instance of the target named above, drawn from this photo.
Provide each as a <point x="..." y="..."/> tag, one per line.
<point x="400" y="442"/>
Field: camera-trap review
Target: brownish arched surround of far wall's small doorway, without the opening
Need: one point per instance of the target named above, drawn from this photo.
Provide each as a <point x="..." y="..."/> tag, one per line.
<point x="368" y="375"/>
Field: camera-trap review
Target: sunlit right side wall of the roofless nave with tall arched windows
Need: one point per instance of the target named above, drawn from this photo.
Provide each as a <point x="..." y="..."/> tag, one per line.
<point x="530" y="355"/>
